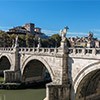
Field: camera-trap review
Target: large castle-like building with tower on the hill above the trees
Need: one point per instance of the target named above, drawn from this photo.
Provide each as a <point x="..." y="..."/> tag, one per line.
<point x="28" y="28"/>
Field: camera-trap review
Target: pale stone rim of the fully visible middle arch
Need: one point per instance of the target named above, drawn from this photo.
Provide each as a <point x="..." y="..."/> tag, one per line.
<point x="42" y="60"/>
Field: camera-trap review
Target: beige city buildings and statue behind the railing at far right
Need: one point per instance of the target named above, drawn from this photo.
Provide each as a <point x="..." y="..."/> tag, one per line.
<point x="88" y="41"/>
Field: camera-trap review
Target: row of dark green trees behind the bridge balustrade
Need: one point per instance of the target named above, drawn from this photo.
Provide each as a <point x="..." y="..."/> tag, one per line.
<point x="29" y="40"/>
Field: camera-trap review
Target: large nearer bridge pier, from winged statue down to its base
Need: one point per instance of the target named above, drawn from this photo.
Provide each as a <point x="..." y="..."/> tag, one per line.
<point x="61" y="90"/>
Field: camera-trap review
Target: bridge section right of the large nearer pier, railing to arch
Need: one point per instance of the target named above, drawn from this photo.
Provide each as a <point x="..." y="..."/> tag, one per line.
<point x="84" y="66"/>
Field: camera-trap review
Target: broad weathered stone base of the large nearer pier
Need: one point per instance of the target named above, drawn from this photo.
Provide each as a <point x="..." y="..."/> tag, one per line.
<point x="57" y="92"/>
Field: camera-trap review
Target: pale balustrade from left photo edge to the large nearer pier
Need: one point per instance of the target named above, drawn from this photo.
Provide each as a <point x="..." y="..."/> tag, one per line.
<point x="31" y="50"/>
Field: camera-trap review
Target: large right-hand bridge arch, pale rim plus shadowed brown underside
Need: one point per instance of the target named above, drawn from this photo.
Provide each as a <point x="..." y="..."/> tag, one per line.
<point x="87" y="78"/>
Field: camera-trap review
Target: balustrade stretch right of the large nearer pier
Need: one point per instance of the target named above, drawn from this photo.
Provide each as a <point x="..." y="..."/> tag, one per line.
<point x="84" y="51"/>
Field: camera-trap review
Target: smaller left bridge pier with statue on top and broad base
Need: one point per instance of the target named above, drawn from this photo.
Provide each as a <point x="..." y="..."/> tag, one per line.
<point x="14" y="74"/>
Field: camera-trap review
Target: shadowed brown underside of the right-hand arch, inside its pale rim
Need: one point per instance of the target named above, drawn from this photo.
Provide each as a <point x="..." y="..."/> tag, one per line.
<point x="89" y="87"/>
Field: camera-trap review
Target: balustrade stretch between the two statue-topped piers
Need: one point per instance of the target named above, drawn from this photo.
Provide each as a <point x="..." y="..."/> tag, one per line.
<point x="38" y="50"/>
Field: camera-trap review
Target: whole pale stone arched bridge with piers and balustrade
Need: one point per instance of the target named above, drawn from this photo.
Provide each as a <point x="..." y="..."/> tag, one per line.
<point x="75" y="72"/>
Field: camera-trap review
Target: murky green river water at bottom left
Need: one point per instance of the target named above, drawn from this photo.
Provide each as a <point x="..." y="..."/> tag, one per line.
<point x="27" y="94"/>
